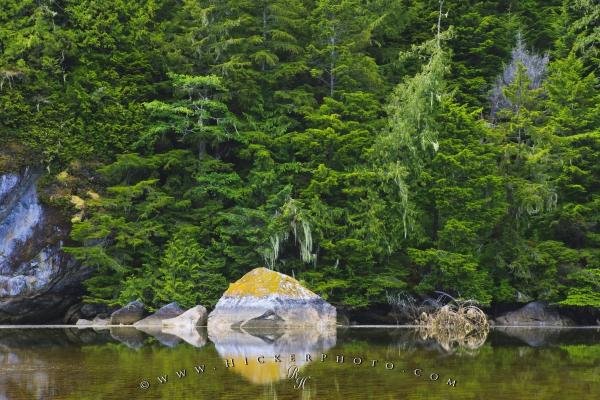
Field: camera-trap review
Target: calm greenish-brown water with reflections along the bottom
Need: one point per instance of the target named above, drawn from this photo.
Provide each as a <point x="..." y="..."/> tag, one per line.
<point x="126" y="364"/>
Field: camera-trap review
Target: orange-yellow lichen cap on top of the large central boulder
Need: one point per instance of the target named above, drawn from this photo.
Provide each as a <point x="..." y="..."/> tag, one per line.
<point x="262" y="282"/>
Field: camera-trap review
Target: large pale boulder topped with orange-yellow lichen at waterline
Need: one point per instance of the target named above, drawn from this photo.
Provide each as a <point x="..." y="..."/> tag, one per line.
<point x="265" y="299"/>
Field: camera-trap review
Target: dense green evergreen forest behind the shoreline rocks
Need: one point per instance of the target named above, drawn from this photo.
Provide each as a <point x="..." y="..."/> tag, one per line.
<point x="366" y="147"/>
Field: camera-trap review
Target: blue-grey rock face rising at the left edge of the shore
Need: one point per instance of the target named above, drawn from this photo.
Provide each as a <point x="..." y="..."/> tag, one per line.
<point x="38" y="282"/>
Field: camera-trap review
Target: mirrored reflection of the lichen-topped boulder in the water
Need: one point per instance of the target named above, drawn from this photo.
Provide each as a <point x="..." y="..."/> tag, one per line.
<point x="237" y="346"/>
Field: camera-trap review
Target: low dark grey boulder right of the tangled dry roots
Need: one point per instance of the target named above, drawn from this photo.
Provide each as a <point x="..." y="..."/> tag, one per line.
<point x="536" y="313"/>
